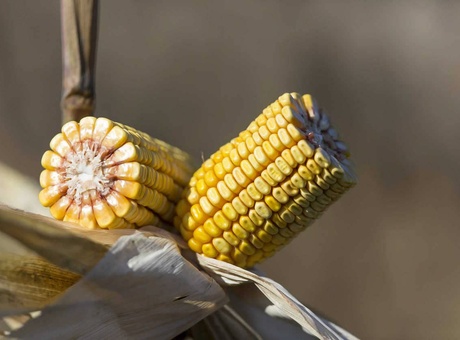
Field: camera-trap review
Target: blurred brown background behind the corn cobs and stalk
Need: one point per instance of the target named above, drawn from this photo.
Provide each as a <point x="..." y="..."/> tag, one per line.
<point x="382" y="262"/>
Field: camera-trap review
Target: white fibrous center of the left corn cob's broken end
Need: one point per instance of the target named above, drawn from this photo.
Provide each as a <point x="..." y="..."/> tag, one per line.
<point x="84" y="172"/>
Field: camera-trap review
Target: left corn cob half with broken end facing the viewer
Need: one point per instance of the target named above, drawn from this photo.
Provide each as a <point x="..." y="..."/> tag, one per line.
<point x="102" y="174"/>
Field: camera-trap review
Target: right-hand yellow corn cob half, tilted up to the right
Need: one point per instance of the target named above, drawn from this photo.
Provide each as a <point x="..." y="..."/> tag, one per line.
<point x="265" y="186"/>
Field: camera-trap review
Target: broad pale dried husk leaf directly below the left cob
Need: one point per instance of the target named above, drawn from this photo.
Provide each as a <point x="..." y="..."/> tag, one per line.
<point x="142" y="288"/>
